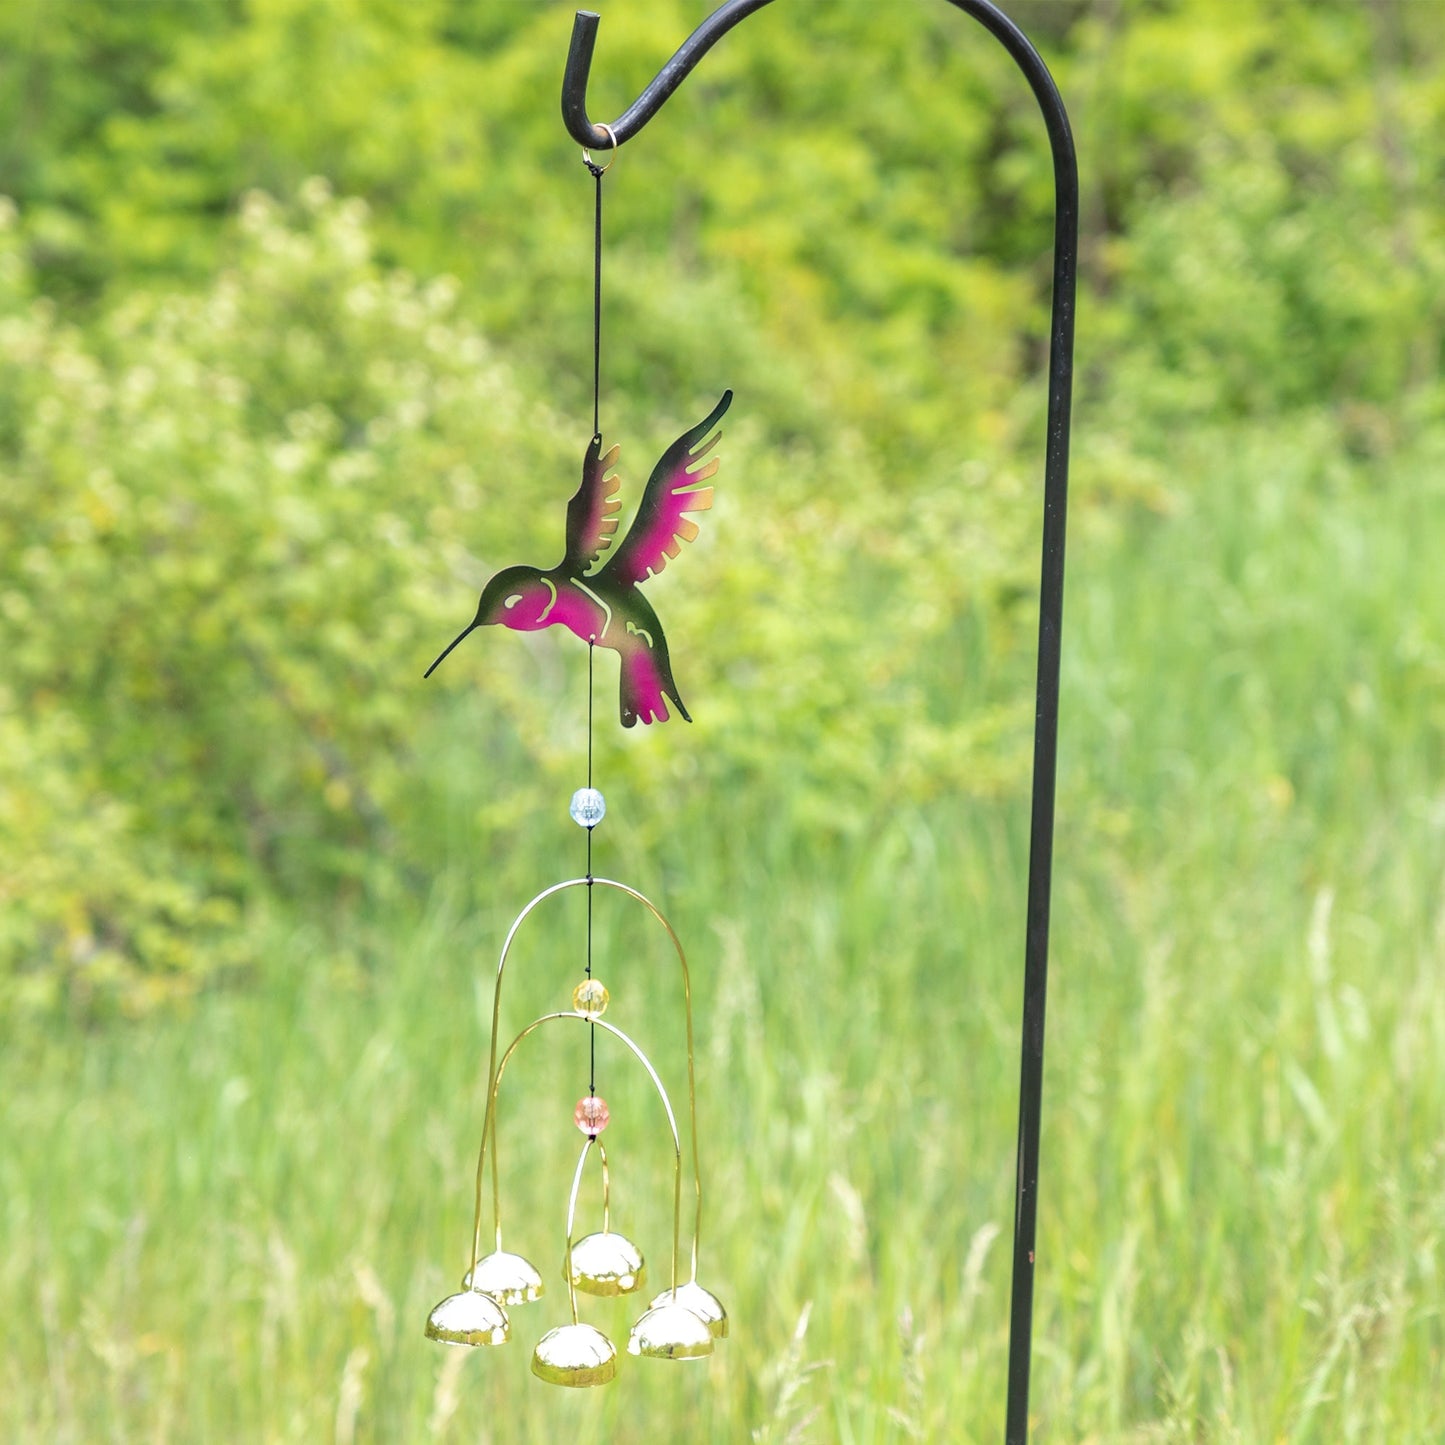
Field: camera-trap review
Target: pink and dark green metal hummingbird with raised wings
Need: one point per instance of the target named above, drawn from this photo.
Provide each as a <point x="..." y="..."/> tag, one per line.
<point x="606" y="608"/>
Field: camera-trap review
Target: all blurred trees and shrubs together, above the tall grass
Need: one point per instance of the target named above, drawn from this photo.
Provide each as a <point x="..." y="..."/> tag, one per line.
<point x="255" y="469"/>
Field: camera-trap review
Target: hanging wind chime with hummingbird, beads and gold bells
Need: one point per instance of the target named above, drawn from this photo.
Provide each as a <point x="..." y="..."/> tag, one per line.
<point x="605" y="608"/>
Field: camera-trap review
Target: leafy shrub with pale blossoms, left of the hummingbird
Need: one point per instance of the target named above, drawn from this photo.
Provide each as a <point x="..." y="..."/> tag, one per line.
<point x="226" y="521"/>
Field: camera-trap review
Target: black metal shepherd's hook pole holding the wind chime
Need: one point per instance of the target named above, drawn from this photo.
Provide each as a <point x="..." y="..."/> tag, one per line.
<point x="1051" y="587"/>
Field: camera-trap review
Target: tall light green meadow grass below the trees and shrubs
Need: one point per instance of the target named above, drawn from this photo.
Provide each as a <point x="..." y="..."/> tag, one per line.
<point x="230" y="1223"/>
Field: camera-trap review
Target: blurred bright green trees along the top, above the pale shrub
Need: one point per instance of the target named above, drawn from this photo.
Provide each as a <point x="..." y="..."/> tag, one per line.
<point x="884" y="217"/>
